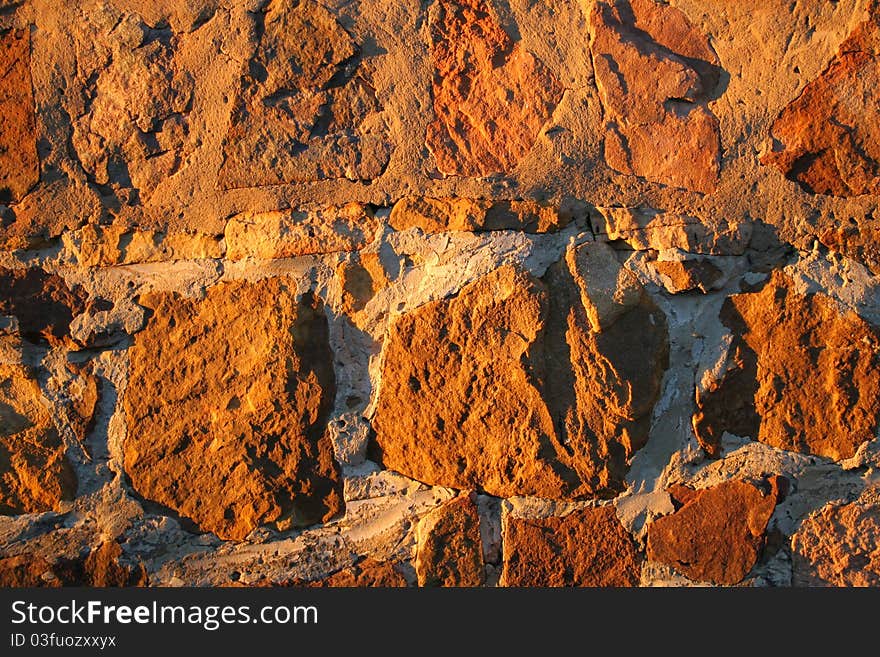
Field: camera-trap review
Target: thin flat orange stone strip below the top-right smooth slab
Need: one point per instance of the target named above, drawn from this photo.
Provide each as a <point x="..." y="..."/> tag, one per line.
<point x="645" y="228"/>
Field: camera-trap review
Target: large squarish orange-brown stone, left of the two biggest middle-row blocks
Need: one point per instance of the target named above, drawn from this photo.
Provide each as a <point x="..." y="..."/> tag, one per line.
<point x="227" y="405"/>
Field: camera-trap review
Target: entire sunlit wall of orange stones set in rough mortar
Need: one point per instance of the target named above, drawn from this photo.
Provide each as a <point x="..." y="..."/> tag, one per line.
<point x="447" y="292"/>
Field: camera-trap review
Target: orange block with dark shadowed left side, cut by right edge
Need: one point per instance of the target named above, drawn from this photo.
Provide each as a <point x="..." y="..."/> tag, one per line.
<point x="800" y="375"/>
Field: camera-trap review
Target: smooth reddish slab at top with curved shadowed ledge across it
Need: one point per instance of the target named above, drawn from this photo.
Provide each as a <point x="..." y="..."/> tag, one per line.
<point x="655" y="73"/>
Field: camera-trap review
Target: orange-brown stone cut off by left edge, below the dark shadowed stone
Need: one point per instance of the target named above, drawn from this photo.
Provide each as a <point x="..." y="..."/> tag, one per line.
<point x="35" y="475"/>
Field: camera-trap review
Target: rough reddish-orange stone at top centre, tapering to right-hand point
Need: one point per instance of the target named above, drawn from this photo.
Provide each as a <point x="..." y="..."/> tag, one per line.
<point x="491" y="97"/>
